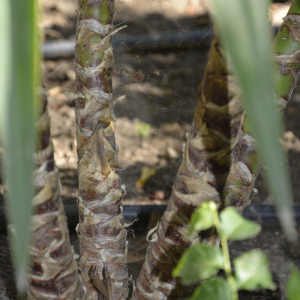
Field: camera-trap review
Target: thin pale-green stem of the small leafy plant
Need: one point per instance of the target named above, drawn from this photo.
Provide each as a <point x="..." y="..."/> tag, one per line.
<point x="225" y="251"/>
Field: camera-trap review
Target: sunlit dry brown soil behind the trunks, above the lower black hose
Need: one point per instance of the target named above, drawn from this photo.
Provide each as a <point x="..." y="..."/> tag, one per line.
<point x="165" y="99"/>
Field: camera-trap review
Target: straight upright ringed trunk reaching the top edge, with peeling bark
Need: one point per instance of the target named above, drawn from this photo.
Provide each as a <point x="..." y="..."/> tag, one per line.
<point x="103" y="248"/>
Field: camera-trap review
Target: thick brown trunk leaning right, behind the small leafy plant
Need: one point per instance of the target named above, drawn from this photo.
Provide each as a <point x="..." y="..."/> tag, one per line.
<point x="201" y="177"/>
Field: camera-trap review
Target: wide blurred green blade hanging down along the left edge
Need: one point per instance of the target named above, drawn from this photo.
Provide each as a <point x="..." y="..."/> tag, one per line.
<point x="17" y="116"/>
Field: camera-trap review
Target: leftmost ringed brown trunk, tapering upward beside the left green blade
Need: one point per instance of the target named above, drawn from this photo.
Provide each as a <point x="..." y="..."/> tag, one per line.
<point x="54" y="272"/>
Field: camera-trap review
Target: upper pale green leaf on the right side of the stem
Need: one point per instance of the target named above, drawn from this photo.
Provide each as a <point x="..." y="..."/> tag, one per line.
<point x="236" y="227"/>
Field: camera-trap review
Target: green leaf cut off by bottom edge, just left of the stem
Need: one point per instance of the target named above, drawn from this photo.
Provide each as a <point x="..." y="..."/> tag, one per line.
<point x="216" y="288"/>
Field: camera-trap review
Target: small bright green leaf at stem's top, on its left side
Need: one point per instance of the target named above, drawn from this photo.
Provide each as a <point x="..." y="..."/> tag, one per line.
<point x="201" y="219"/>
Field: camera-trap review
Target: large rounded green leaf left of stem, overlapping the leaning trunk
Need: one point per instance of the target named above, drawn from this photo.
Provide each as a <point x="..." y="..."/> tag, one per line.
<point x="200" y="261"/>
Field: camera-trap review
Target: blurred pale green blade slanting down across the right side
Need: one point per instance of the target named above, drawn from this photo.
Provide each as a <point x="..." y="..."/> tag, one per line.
<point x="246" y="34"/>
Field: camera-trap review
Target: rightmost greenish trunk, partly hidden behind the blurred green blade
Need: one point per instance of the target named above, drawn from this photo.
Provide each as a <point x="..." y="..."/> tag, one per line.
<point x="246" y="162"/>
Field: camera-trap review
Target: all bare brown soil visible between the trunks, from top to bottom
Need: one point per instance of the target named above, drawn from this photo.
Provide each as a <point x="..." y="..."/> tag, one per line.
<point x="165" y="100"/>
